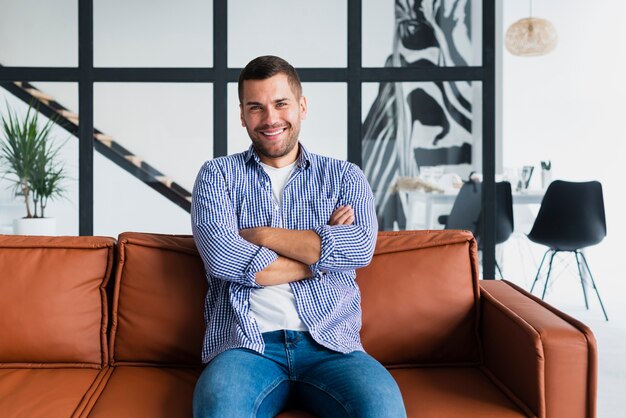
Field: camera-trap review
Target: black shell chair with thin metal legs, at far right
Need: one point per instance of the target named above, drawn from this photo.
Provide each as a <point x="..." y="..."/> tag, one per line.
<point x="571" y="218"/>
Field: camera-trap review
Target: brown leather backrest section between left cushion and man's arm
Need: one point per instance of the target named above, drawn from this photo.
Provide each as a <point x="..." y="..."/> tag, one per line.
<point x="158" y="304"/>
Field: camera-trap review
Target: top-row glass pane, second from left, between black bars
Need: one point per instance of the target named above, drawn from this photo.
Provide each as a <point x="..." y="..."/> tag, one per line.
<point x="145" y="33"/>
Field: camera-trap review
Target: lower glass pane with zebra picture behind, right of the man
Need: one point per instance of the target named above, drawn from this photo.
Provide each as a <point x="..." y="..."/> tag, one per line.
<point x="421" y="137"/>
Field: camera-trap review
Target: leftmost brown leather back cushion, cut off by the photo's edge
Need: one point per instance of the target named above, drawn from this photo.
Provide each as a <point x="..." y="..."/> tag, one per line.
<point x="53" y="306"/>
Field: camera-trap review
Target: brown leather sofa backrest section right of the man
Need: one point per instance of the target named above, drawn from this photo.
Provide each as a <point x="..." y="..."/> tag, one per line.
<point x="419" y="299"/>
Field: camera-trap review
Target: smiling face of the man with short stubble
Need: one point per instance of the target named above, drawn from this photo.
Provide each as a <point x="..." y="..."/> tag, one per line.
<point x="271" y="113"/>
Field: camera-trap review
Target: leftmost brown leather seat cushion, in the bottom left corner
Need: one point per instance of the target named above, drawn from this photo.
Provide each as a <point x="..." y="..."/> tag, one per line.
<point x="44" y="392"/>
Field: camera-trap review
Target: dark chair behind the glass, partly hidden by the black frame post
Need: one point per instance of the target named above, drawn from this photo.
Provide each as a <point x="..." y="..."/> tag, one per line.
<point x="466" y="212"/>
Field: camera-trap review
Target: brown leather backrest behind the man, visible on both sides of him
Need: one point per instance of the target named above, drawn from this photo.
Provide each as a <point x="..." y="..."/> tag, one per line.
<point x="419" y="299"/>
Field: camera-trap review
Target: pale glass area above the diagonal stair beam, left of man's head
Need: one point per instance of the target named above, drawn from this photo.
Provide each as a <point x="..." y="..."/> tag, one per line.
<point x="168" y="125"/>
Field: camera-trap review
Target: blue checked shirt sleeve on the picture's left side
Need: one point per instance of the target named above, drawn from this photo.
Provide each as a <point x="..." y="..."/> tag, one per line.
<point x="226" y="255"/>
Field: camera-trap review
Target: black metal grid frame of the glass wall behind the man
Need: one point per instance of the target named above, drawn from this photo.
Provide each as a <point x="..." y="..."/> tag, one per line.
<point x="354" y="75"/>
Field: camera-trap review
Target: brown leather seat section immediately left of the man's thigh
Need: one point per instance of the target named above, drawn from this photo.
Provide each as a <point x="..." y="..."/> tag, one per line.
<point x="147" y="392"/>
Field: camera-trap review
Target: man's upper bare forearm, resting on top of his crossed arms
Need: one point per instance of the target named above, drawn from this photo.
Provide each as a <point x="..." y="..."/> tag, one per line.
<point x="300" y="245"/>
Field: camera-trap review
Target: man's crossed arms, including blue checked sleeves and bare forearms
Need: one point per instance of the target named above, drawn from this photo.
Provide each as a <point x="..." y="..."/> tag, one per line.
<point x="266" y="256"/>
